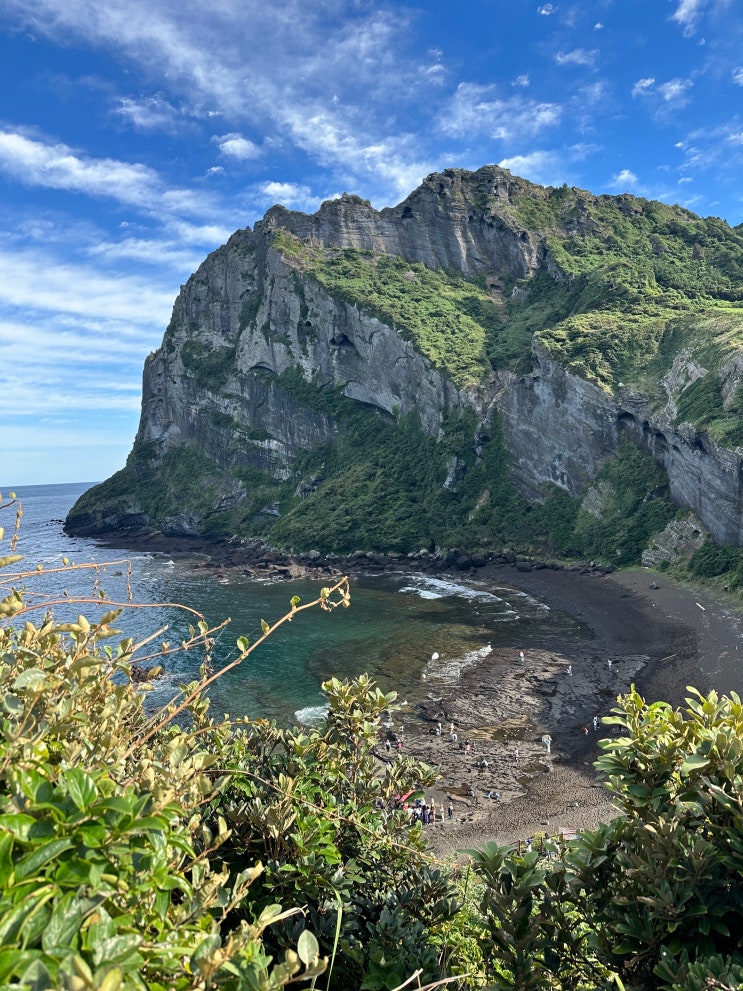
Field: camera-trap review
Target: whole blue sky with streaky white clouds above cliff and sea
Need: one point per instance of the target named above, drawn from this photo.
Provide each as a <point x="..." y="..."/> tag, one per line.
<point x="137" y="135"/>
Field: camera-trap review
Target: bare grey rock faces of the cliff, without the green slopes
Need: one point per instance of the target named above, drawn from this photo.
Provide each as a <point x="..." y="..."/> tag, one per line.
<point x="250" y="314"/>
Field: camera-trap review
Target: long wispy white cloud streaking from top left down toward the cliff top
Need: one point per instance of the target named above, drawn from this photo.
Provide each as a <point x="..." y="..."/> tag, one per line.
<point x="298" y="54"/>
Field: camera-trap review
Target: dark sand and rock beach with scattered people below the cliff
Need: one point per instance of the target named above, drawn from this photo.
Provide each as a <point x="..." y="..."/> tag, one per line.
<point x="644" y="629"/>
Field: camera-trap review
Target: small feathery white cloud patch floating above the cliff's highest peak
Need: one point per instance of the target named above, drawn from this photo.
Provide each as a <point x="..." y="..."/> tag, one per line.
<point x="476" y="109"/>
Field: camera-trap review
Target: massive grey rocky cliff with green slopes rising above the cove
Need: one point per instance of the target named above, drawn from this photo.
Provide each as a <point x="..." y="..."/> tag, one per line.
<point x="414" y="364"/>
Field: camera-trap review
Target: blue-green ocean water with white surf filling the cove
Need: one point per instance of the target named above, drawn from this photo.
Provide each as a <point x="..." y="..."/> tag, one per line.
<point x="395" y="626"/>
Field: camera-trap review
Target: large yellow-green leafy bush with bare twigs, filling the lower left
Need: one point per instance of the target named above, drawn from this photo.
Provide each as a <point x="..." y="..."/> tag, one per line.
<point x="148" y="850"/>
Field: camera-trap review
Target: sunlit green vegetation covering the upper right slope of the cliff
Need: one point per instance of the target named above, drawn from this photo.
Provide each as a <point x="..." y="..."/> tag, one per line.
<point x="641" y="281"/>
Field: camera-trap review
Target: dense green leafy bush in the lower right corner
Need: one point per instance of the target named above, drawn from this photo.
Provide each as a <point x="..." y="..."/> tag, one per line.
<point x="650" y="901"/>
